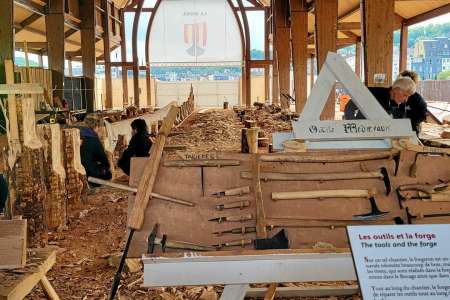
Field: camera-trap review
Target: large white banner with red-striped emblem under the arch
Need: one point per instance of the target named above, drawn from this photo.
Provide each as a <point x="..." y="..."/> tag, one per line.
<point x="196" y="31"/>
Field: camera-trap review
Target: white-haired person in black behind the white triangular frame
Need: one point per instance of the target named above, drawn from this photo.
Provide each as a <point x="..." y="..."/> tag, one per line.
<point x="395" y="101"/>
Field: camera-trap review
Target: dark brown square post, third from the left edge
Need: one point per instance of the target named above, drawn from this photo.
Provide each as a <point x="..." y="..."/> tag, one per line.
<point x="87" y="15"/>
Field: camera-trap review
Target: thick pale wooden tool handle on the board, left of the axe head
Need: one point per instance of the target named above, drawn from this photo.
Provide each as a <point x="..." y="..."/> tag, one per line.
<point x="321" y="194"/>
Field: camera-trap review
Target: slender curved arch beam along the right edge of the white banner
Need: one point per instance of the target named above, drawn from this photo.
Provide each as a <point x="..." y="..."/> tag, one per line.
<point x="246" y="84"/>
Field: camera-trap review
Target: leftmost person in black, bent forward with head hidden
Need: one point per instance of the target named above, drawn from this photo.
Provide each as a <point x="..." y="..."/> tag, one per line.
<point x="93" y="156"/>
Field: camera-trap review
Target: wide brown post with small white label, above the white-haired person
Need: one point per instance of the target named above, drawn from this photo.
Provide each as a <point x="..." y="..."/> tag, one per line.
<point x="378" y="21"/>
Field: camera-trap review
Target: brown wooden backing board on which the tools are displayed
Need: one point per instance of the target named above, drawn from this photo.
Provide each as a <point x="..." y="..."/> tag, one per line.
<point x="197" y="184"/>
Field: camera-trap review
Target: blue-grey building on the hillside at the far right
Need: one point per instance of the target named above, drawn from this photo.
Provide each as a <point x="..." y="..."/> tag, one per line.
<point x="431" y="57"/>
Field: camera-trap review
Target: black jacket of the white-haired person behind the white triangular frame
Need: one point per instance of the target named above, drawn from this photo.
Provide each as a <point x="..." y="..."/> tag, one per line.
<point x="415" y="107"/>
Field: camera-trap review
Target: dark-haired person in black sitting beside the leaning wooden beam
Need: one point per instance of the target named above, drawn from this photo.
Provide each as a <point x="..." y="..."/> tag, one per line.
<point x="139" y="145"/>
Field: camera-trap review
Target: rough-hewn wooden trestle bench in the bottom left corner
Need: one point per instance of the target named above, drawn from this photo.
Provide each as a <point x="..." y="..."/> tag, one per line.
<point x="18" y="283"/>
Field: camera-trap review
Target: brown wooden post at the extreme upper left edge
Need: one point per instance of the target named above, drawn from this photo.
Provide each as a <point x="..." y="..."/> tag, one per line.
<point x="6" y="36"/>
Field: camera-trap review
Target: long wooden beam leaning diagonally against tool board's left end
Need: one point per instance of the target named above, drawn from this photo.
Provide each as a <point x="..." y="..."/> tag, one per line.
<point x="148" y="178"/>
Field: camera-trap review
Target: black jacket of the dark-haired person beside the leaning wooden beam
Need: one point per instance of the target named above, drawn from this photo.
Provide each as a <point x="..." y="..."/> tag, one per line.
<point x="139" y="146"/>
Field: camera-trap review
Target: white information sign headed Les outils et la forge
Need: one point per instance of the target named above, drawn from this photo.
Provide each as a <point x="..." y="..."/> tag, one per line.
<point x="402" y="262"/>
